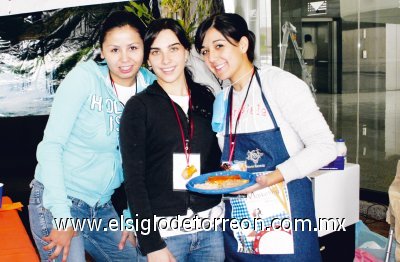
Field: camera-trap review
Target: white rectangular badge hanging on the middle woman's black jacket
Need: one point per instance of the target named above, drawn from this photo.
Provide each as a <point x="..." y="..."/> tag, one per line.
<point x="182" y="172"/>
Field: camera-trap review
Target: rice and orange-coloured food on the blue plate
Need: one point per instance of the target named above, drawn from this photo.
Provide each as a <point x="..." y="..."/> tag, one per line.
<point x="218" y="182"/>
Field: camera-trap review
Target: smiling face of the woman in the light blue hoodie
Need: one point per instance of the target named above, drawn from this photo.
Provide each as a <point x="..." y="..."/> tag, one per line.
<point x="123" y="50"/>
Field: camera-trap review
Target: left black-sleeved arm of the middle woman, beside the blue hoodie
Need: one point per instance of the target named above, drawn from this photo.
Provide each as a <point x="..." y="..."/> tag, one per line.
<point x="133" y="150"/>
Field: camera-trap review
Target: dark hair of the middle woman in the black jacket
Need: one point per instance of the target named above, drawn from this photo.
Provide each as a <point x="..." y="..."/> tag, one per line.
<point x="159" y="25"/>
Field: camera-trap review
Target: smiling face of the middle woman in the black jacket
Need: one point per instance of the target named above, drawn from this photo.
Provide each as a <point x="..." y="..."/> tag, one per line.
<point x="168" y="58"/>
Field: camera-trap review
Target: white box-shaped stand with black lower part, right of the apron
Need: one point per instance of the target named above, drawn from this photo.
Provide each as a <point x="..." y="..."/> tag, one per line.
<point x="337" y="196"/>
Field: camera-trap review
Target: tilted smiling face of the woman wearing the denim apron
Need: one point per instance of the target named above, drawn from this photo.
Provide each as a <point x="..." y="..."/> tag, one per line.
<point x="226" y="59"/>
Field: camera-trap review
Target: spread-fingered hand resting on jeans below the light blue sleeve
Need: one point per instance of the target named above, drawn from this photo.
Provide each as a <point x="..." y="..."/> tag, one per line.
<point x="61" y="240"/>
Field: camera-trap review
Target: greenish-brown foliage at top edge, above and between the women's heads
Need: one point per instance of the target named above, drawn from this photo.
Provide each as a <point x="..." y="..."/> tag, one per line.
<point x="188" y="13"/>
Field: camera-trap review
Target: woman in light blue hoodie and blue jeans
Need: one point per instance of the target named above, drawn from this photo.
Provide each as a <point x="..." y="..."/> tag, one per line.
<point x="79" y="163"/>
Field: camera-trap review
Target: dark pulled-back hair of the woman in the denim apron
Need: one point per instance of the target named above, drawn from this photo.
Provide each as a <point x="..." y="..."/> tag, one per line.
<point x="231" y="26"/>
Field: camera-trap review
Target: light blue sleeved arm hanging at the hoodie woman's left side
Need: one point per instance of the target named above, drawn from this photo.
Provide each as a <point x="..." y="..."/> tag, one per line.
<point x="70" y="97"/>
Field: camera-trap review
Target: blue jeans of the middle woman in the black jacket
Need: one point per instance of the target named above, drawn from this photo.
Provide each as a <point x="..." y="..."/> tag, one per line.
<point x="197" y="247"/>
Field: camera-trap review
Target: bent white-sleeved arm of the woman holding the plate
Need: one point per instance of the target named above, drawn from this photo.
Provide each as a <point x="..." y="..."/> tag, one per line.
<point x="300" y="111"/>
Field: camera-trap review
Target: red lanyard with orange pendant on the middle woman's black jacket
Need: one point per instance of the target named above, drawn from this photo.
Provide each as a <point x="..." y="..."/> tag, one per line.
<point x="189" y="170"/>
